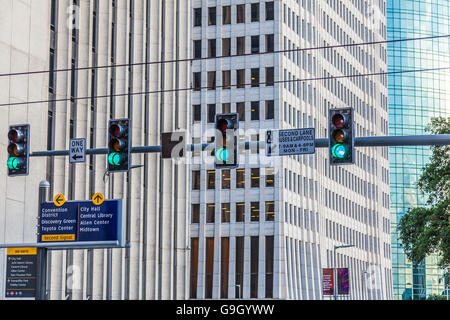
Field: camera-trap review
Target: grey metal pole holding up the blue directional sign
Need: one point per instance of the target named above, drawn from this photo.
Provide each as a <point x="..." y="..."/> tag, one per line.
<point x="41" y="292"/>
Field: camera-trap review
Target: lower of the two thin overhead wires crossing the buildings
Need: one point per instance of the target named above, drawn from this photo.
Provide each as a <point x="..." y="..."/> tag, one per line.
<point x="216" y="87"/>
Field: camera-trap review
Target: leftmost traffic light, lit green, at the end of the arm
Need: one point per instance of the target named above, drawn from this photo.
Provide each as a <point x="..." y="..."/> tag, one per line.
<point x="18" y="150"/>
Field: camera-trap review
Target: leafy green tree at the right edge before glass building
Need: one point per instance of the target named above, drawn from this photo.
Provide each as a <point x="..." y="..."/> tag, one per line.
<point x="426" y="230"/>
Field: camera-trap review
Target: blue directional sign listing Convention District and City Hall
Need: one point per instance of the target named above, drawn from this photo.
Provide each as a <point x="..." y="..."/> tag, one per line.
<point x="81" y="221"/>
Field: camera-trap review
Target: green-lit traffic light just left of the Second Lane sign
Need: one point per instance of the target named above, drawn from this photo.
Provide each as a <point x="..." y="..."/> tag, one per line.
<point x="226" y="140"/>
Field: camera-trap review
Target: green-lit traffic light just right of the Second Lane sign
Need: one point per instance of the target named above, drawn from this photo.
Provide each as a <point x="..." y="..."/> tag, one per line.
<point x="341" y="135"/>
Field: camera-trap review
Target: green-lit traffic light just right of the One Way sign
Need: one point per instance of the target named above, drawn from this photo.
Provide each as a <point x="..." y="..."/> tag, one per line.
<point x="119" y="145"/>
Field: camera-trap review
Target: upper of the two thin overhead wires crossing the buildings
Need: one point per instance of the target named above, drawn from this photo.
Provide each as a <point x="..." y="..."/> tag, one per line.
<point x="220" y="57"/>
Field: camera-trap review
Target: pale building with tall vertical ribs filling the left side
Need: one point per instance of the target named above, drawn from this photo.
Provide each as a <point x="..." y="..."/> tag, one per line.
<point x="87" y="38"/>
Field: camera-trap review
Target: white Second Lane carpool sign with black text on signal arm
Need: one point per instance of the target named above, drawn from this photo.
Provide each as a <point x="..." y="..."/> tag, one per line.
<point x="290" y="142"/>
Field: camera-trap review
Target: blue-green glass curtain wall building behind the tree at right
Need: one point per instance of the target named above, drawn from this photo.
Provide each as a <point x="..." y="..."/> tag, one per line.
<point x="414" y="98"/>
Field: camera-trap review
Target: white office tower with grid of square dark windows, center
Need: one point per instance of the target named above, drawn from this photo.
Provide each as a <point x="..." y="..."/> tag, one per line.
<point x="269" y="227"/>
